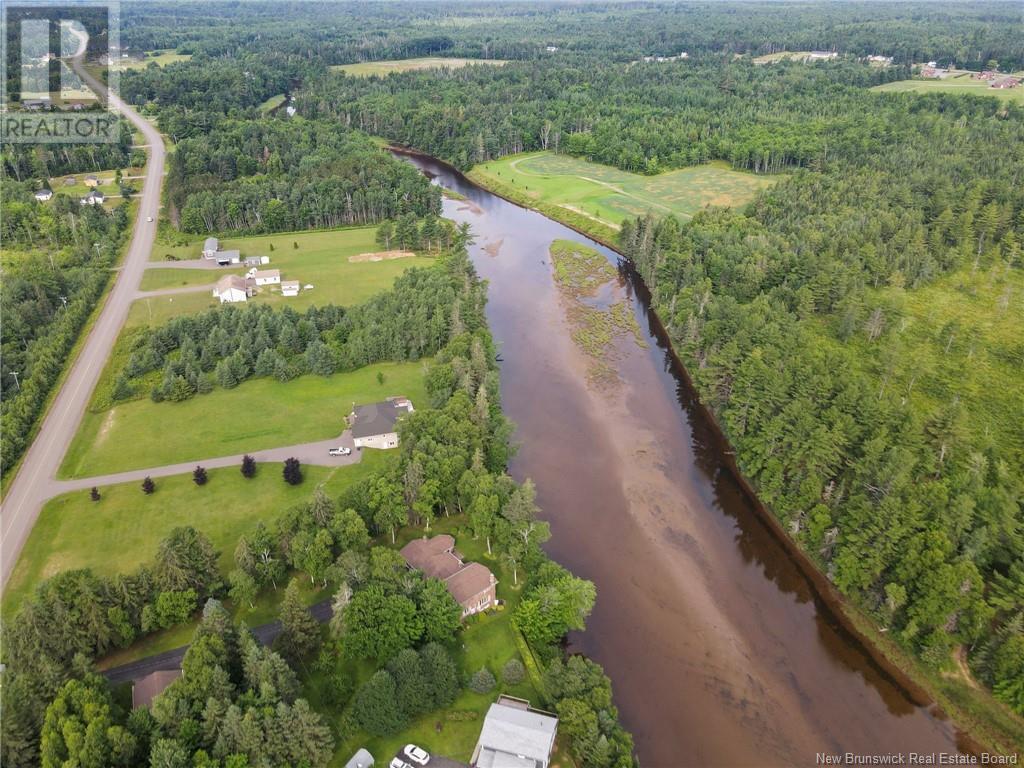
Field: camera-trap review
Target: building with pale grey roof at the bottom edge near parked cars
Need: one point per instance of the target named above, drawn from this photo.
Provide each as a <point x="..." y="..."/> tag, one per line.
<point x="516" y="736"/>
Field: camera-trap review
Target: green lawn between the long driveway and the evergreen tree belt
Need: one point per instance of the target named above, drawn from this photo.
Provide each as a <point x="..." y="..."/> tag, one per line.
<point x="260" y="414"/>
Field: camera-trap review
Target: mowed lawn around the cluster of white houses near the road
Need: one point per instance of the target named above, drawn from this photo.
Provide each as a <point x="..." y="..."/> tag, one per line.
<point x="317" y="259"/>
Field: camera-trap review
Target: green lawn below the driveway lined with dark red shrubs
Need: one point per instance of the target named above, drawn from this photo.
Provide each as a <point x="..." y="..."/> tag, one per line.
<point x="122" y="531"/>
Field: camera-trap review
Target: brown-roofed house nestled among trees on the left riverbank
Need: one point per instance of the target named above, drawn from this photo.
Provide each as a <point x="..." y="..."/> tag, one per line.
<point x="473" y="585"/>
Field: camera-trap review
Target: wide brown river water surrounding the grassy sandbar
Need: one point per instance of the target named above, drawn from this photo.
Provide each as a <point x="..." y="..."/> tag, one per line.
<point x="721" y="649"/>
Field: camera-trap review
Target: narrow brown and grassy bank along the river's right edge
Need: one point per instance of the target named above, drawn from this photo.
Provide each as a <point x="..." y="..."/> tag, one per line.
<point x="890" y="659"/>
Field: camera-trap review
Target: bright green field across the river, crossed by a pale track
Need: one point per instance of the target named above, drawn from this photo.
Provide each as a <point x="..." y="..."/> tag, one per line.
<point x="609" y="196"/>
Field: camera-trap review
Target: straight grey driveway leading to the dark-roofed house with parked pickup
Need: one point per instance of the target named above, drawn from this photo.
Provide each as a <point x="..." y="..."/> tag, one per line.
<point x="315" y="454"/>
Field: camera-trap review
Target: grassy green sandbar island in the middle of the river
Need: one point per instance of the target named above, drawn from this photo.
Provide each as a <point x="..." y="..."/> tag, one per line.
<point x="587" y="283"/>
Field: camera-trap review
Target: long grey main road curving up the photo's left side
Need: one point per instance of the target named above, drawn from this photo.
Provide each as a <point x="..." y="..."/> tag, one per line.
<point x="35" y="482"/>
